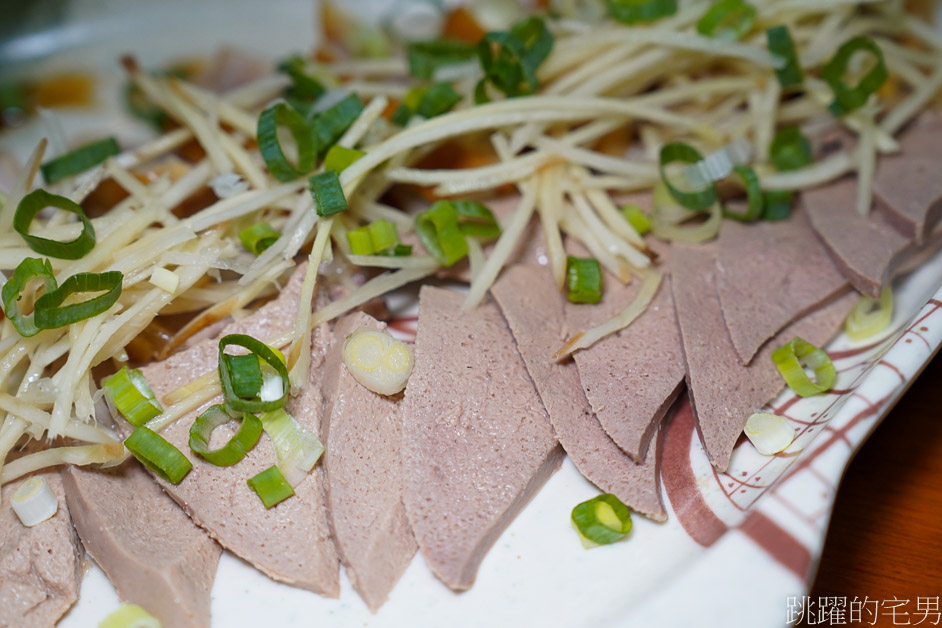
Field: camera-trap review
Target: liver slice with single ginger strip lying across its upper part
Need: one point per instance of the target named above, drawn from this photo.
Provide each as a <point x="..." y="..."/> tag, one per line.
<point x="631" y="378"/>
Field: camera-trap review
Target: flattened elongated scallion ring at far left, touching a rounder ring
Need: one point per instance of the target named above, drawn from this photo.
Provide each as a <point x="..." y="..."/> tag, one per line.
<point x="49" y="312"/>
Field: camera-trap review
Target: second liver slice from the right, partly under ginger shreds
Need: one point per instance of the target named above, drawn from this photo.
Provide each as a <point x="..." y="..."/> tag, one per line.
<point x="866" y="249"/>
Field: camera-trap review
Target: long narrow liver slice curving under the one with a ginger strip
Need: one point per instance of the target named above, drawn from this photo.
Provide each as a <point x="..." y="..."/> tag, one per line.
<point x="533" y="308"/>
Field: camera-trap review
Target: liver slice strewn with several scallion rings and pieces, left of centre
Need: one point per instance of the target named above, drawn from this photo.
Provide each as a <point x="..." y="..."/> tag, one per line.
<point x="290" y="542"/>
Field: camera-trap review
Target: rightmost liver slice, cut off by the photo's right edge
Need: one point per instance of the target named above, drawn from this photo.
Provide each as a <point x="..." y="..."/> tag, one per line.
<point x="909" y="189"/>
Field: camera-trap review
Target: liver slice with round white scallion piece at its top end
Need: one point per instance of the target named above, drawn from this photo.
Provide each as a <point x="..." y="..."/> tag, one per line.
<point x="364" y="475"/>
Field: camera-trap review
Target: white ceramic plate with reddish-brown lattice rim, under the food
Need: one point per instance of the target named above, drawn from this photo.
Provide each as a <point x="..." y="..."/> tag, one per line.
<point x="736" y="544"/>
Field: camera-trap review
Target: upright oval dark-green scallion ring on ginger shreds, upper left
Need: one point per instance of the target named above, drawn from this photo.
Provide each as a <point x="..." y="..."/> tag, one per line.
<point x="269" y="145"/>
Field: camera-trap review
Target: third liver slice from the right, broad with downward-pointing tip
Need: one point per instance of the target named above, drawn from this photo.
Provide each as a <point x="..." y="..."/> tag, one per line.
<point x="769" y="274"/>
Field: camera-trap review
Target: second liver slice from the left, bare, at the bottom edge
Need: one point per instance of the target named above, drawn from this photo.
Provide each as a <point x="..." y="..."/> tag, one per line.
<point x="152" y="553"/>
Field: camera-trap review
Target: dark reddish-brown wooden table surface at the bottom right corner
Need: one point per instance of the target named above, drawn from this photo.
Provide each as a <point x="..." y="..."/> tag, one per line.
<point x="885" y="537"/>
